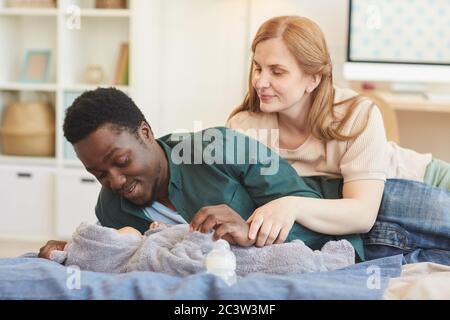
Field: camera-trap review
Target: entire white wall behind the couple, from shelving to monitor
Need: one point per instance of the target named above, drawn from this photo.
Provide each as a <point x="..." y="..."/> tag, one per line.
<point x="196" y="54"/>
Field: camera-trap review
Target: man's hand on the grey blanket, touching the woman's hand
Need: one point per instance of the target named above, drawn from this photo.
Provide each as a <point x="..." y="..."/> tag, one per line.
<point x="226" y="222"/>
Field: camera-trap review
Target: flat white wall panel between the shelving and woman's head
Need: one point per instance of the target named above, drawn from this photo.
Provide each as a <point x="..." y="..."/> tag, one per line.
<point x="203" y="59"/>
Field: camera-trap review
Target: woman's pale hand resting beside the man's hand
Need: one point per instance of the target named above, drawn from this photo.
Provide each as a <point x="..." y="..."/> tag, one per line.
<point x="272" y="222"/>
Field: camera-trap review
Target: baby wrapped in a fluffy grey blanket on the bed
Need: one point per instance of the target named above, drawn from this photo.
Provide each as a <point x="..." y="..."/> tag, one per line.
<point x="177" y="251"/>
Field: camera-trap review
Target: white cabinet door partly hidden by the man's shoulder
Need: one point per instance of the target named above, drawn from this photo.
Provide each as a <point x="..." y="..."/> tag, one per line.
<point x="76" y="193"/>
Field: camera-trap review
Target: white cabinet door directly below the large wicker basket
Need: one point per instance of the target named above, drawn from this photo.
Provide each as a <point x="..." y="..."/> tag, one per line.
<point x="27" y="202"/>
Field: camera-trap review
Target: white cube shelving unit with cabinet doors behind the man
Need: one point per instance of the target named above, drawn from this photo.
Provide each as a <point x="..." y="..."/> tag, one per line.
<point x="64" y="193"/>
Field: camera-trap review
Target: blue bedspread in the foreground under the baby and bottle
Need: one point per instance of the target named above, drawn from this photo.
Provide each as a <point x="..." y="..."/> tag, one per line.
<point x="33" y="278"/>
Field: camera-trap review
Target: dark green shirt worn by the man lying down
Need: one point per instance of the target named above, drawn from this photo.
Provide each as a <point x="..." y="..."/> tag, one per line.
<point x="222" y="166"/>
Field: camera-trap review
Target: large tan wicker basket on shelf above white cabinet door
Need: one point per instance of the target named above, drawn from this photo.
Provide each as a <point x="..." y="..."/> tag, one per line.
<point x="28" y="130"/>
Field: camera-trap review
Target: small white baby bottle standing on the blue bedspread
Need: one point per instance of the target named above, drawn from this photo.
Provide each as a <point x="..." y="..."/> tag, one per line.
<point x="221" y="262"/>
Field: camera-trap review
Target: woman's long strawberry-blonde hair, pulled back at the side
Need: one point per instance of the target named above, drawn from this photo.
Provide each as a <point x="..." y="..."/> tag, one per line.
<point x="306" y="42"/>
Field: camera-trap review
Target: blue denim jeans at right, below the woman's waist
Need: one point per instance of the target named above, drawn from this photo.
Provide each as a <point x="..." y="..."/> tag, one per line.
<point x="413" y="220"/>
